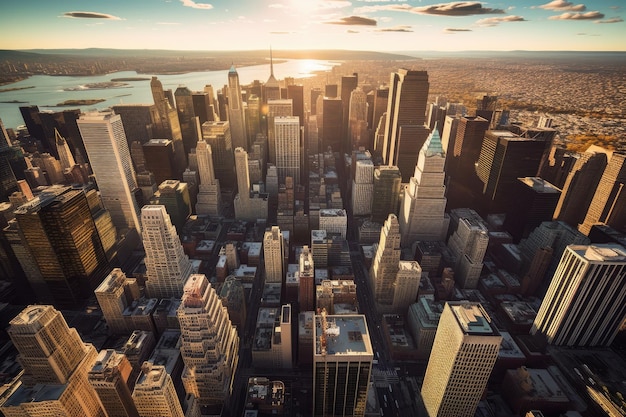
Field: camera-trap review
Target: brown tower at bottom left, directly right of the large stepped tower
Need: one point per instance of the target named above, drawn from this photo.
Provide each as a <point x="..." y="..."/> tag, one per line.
<point x="109" y="378"/>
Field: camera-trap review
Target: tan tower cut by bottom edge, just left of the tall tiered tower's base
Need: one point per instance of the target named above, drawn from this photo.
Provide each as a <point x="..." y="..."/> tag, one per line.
<point x="154" y="393"/>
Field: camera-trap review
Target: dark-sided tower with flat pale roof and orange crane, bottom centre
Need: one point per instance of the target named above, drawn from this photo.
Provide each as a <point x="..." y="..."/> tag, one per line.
<point x="342" y="364"/>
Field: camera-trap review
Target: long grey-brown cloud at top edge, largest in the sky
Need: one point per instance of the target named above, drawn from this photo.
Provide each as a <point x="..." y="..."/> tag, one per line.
<point x="463" y="8"/>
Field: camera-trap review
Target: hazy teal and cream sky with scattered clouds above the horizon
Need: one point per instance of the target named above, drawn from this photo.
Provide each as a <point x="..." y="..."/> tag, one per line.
<point x="373" y="25"/>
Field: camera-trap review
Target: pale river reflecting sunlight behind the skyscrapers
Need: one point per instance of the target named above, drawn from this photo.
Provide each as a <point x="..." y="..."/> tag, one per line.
<point x="46" y="91"/>
